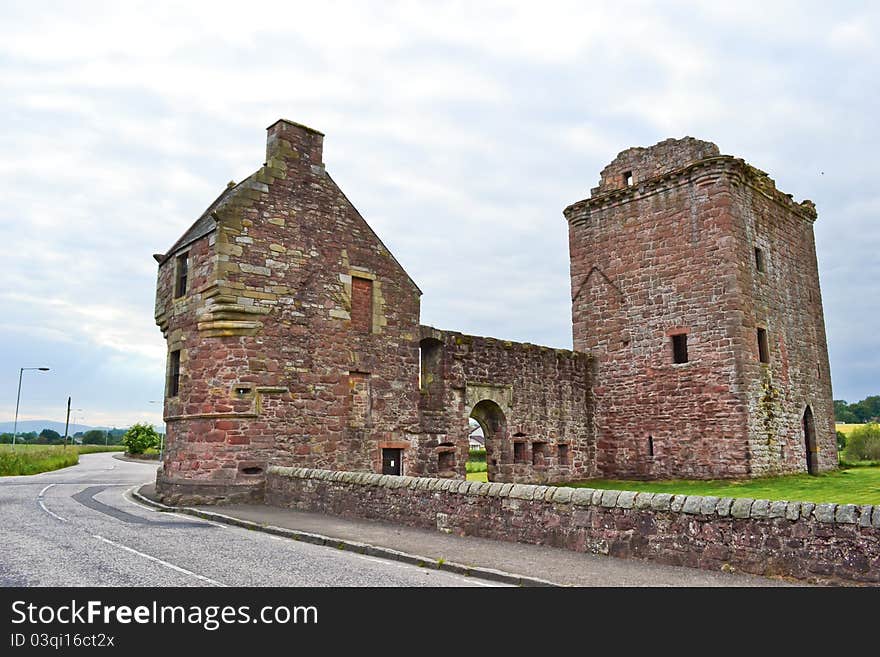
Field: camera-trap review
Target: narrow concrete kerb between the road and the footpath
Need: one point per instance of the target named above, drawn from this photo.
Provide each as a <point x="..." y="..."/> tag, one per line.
<point x="489" y="574"/>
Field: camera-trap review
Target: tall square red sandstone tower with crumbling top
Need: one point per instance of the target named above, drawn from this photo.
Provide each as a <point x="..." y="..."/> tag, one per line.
<point x="695" y="286"/>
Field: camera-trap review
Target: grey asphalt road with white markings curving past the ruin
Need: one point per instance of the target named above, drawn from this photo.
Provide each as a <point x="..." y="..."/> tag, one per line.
<point x="78" y="527"/>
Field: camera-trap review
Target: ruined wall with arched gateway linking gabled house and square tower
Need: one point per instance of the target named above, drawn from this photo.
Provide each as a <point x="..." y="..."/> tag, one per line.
<point x="533" y="403"/>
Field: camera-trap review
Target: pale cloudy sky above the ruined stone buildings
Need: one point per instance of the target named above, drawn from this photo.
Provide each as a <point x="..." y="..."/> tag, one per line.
<point x="460" y="130"/>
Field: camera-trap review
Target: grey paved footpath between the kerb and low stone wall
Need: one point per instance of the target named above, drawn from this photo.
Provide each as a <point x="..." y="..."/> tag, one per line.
<point x="526" y="563"/>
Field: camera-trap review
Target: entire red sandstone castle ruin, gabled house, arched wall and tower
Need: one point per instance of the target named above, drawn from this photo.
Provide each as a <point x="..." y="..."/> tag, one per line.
<point x="699" y="343"/>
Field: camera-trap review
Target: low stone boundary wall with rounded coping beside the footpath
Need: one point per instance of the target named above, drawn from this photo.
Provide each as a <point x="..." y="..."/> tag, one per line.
<point x="822" y="543"/>
